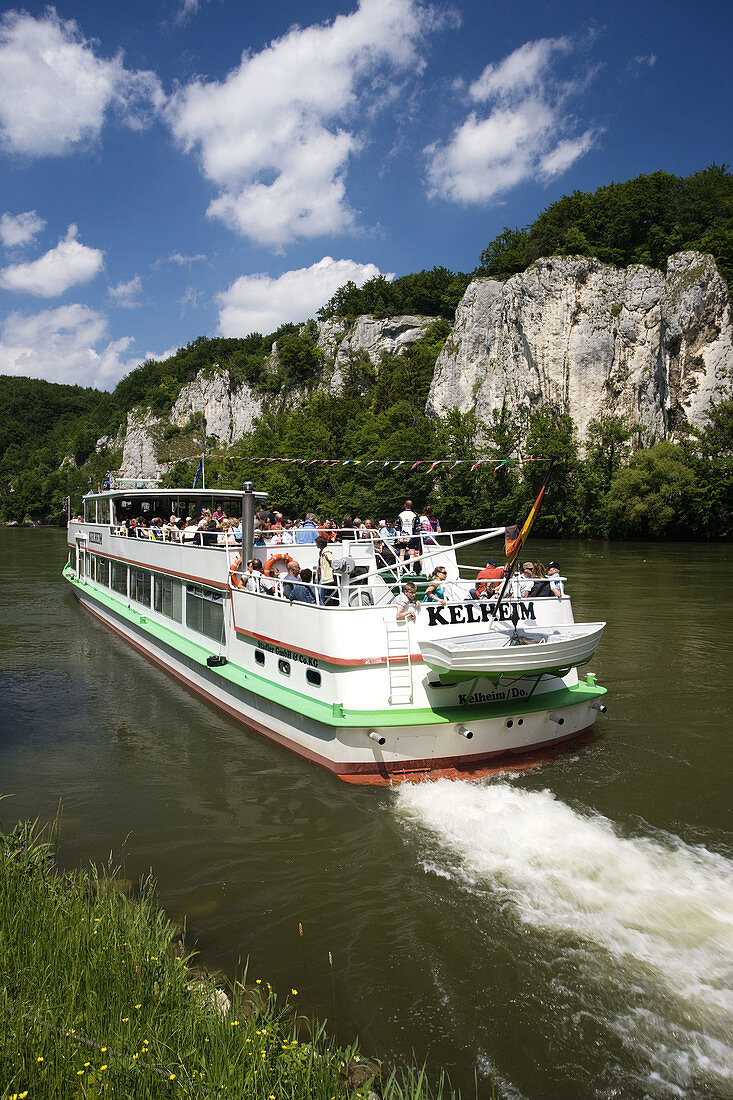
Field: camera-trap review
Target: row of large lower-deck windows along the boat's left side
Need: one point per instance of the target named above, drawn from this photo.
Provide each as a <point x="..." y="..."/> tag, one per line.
<point x="165" y="595"/>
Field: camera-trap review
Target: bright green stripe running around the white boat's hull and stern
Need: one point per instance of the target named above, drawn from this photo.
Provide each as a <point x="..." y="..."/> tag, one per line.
<point x="331" y="714"/>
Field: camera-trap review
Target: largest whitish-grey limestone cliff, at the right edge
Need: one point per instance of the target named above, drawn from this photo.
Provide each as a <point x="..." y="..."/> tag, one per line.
<point x="592" y="340"/>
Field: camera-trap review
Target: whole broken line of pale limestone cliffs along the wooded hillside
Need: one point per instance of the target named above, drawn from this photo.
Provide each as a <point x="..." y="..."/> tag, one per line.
<point x="584" y="337"/>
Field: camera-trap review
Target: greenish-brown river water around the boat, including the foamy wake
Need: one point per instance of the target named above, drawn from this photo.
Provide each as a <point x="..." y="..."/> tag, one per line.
<point x="566" y="932"/>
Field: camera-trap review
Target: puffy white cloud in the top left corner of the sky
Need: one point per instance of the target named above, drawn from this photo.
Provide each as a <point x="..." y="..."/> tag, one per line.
<point x="56" y="92"/>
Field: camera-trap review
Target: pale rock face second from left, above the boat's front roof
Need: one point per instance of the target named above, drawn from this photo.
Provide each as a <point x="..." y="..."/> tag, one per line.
<point x="229" y="413"/>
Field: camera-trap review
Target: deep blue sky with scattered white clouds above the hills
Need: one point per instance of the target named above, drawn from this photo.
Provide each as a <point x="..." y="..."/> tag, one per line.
<point x="201" y="168"/>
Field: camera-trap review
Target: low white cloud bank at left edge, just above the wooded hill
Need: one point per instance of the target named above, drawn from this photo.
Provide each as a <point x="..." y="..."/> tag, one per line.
<point x="65" y="345"/>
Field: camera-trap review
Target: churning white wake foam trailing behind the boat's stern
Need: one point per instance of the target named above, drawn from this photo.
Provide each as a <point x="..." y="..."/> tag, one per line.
<point x="659" y="911"/>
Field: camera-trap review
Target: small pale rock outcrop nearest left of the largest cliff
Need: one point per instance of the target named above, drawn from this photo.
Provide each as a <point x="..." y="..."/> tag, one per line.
<point x="391" y="336"/>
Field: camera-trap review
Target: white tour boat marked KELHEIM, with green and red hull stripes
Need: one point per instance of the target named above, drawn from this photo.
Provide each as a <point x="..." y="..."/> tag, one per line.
<point x="463" y="689"/>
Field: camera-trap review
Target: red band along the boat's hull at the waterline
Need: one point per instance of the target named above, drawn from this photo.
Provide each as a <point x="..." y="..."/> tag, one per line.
<point x="378" y="773"/>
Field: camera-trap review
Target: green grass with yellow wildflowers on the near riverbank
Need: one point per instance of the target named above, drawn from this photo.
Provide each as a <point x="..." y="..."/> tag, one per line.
<point x="99" y="997"/>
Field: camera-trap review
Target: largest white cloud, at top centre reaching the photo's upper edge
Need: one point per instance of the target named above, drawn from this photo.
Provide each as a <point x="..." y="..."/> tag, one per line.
<point x="275" y="136"/>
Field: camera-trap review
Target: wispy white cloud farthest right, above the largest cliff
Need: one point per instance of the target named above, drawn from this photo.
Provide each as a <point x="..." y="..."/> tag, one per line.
<point x="520" y="129"/>
